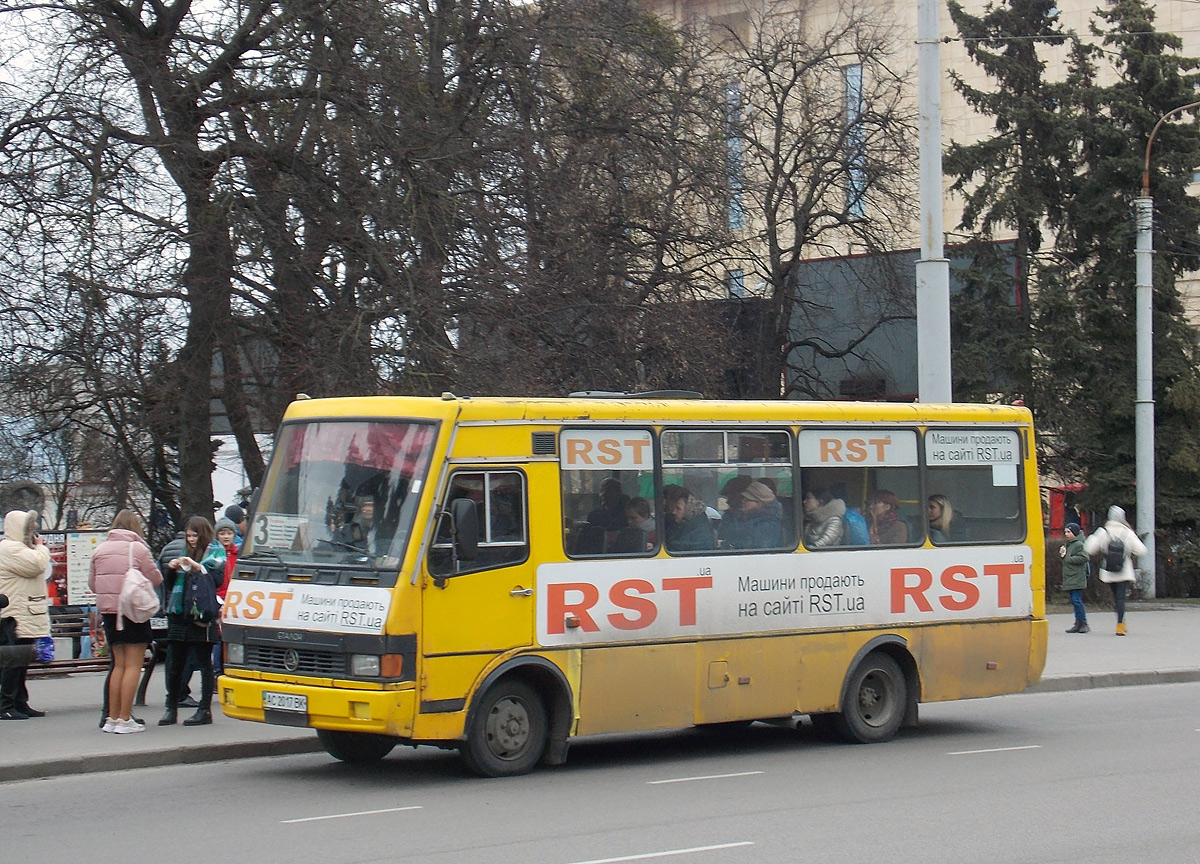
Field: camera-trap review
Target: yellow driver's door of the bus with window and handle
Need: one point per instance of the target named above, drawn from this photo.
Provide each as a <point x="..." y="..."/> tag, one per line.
<point x="479" y="607"/>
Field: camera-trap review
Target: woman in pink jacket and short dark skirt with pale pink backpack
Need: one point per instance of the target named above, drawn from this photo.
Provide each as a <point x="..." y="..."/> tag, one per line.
<point x="112" y="565"/>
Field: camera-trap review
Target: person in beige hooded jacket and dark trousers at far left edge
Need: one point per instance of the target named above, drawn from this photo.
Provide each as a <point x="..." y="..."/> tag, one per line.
<point x="25" y="562"/>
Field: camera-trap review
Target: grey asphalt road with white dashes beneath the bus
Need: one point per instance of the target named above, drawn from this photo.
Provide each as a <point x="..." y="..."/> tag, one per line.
<point x="1094" y="776"/>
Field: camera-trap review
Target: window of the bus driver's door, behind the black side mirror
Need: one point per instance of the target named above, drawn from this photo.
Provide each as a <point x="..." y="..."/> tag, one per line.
<point x="500" y="499"/>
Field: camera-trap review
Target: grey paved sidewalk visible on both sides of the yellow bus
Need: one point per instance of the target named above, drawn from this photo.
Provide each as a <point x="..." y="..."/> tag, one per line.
<point x="1163" y="646"/>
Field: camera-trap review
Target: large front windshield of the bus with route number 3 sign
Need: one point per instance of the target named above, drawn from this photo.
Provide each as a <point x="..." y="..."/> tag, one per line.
<point x="343" y="493"/>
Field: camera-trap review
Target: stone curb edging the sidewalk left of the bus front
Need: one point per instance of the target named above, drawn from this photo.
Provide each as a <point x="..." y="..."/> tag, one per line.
<point x="157" y="759"/>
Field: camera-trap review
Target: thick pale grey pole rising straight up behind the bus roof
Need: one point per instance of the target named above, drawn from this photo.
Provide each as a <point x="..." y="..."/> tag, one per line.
<point x="933" y="268"/>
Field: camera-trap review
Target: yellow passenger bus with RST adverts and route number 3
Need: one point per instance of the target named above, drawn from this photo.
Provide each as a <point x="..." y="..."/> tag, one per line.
<point x="502" y="575"/>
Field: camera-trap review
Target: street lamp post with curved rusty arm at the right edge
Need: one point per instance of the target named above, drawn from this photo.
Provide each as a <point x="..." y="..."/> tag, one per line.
<point x="1144" y="415"/>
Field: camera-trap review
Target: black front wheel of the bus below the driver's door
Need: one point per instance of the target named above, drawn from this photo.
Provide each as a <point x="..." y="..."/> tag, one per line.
<point x="507" y="731"/>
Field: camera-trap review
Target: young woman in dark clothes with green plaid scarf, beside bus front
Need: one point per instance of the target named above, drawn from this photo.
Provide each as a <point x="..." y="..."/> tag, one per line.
<point x="191" y="586"/>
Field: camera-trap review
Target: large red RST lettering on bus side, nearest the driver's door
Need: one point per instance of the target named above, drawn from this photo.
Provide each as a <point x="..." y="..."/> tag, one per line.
<point x="637" y="604"/>
